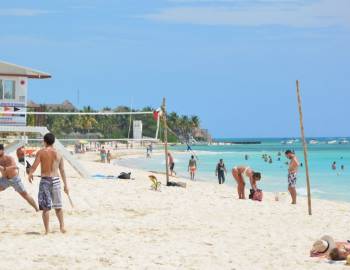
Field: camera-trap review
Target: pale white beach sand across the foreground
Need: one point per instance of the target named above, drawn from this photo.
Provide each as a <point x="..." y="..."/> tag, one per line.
<point x="124" y="225"/>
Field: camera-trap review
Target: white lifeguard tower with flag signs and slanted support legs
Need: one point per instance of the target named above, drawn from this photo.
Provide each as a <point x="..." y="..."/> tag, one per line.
<point x="13" y="108"/>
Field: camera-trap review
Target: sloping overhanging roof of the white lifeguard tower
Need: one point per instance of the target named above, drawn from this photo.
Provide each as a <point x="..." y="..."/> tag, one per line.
<point x="8" y="69"/>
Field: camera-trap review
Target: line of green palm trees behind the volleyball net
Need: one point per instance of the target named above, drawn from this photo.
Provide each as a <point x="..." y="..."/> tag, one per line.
<point x="113" y="126"/>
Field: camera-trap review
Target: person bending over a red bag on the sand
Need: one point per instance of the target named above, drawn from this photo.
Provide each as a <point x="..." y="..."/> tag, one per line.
<point x="239" y="173"/>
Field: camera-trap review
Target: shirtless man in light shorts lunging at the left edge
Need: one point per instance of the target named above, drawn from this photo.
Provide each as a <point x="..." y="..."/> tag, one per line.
<point x="9" y="173"/>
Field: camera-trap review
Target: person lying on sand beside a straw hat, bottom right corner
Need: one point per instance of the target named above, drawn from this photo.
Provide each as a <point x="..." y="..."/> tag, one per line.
<point x="326" y="247"/>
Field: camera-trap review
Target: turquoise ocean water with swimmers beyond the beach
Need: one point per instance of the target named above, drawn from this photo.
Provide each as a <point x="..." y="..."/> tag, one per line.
<point x="325" y="183"/>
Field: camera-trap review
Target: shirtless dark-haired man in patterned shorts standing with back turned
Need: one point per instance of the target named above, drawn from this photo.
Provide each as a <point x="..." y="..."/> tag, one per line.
<point x="50" y="185"/>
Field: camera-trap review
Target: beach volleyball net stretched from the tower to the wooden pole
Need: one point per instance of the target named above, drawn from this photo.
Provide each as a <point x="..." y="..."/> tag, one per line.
<point x="125" y="127"/>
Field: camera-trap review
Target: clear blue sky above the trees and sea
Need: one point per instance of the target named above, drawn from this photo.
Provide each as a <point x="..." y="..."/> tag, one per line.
<point x="232" y="62"/>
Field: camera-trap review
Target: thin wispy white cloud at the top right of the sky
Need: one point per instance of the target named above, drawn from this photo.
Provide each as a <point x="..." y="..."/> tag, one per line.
<point x="321" y="13"/>
